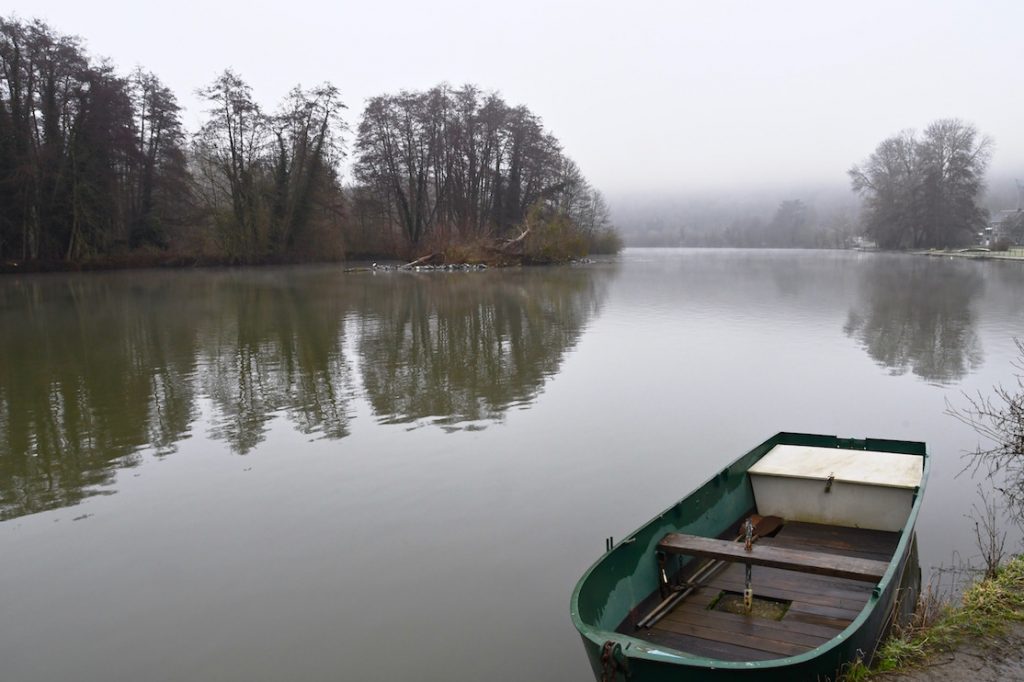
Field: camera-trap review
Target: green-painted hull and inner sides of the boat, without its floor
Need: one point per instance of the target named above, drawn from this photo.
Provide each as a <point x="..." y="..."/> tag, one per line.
<point x="624" y="576"/>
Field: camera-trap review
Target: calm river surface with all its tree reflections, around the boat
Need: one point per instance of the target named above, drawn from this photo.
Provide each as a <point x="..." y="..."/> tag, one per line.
<point x="307" y="475"/>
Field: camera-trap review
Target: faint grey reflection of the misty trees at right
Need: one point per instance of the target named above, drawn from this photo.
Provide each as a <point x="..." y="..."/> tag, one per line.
<point x="917" y="314"/>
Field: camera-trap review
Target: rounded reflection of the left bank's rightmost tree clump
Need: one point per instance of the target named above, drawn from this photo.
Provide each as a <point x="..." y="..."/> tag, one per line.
<point x="453" y="351"/>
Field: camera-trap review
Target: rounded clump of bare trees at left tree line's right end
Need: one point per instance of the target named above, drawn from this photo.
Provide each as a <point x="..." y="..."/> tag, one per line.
<point x="458" y="163"/>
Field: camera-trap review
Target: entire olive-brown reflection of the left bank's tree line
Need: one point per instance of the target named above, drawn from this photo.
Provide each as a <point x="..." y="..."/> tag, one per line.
<point x="96" y="369"/>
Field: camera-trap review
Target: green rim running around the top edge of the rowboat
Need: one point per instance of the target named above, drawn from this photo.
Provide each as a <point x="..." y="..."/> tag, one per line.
<point x="635" y="648"/>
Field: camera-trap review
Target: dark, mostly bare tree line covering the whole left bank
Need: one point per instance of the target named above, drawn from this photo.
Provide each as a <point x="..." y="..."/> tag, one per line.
<point x="98" y="165"/>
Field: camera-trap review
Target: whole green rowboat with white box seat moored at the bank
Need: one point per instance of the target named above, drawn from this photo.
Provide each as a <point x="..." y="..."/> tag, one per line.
<point x="789" y="565"/>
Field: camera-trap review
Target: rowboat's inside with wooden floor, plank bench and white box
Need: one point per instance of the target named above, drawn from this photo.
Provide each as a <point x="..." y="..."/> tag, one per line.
<point x="821" y="537"/>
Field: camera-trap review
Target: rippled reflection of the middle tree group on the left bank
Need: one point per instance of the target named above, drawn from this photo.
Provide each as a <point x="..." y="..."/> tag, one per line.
<point x="277" y="349"/>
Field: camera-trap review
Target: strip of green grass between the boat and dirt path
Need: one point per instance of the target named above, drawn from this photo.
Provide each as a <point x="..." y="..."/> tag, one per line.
<point x="986" y="611"/>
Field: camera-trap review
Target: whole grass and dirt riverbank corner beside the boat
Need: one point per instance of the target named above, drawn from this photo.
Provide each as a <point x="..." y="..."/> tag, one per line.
<point x="982" y="640"/>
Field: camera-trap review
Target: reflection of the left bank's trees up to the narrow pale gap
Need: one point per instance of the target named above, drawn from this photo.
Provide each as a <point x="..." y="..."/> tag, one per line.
<point x="99" y="368"/>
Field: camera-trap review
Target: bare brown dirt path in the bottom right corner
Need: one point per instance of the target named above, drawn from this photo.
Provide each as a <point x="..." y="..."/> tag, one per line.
<point x="998" y="661"/>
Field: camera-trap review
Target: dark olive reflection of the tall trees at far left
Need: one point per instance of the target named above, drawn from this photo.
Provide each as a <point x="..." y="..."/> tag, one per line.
<point x="90" y="378"/>
